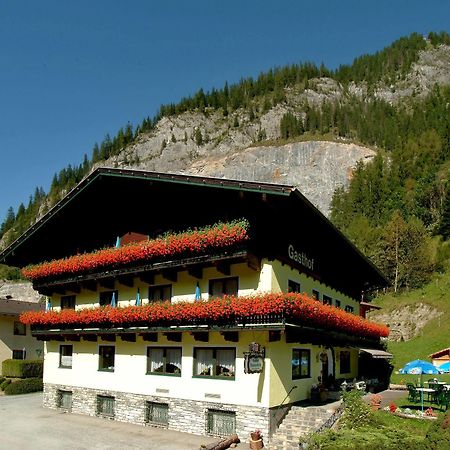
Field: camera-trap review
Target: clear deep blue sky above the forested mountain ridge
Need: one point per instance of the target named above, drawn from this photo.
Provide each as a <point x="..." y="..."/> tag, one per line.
<point x="70" y="72"/>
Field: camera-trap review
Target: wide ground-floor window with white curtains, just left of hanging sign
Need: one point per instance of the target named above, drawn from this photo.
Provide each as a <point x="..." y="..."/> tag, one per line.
<point x="214" y="362"/>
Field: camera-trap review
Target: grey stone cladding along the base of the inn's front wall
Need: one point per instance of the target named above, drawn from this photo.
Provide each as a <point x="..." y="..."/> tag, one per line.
<point x="188" y="416"/>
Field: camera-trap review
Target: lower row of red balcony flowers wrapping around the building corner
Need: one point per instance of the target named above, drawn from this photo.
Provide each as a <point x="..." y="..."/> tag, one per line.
<point x="260" y="308"/>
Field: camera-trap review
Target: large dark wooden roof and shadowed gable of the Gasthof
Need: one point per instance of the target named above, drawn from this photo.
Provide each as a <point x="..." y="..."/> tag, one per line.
<point x="111" y="202"/>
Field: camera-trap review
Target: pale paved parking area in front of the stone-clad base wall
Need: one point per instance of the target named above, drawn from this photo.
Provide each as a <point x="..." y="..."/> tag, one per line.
<point x="26" y="424"/>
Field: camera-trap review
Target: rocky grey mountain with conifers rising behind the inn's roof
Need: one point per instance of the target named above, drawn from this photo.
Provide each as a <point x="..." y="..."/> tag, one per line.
<point x="299" y="125"/>
